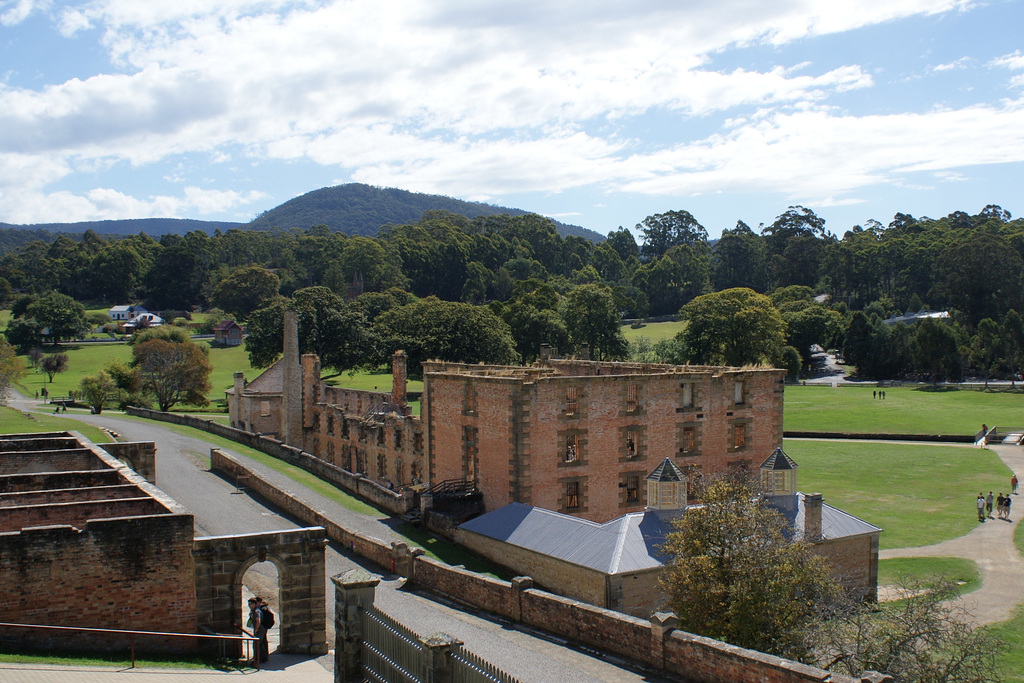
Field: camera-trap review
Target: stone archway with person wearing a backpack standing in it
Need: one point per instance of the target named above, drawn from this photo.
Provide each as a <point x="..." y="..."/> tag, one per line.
<point x="222" y="562"/>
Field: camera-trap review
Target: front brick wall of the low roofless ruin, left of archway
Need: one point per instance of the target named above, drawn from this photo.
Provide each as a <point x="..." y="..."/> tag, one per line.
<point x="118" y="574"/>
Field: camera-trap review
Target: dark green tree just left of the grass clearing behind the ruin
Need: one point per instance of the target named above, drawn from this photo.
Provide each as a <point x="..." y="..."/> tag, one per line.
<point x="591" y="318"/>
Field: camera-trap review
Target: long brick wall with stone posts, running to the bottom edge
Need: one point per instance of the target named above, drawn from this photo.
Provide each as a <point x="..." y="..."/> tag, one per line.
<point x="696" y="659"/>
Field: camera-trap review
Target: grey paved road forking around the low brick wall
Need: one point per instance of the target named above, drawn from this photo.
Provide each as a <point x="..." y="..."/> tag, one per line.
<point x="219" y="509"/>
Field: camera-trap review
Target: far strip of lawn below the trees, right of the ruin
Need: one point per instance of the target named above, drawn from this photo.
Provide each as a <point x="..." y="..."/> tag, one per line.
<point x="906" y="410"/>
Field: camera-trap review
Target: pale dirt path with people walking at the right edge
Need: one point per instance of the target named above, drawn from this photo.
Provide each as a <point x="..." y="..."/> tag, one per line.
<point x="992" y="546"/>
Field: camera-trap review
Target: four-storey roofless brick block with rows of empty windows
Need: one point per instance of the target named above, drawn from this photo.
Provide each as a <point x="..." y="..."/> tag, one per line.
<point x="581" y="444"/>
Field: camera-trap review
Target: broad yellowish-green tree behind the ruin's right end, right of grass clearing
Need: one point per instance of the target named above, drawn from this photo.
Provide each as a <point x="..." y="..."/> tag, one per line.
<point x="737" y="327"/>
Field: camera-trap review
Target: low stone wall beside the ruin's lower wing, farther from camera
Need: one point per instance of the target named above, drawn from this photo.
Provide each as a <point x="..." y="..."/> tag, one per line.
<point x="395" y="502"/>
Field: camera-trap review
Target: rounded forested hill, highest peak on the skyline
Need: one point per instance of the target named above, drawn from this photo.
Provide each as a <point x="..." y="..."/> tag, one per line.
<point x="361" y="209"/>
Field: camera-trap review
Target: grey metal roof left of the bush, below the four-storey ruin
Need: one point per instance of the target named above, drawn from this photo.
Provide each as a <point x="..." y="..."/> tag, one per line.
<point x="627" y="544"/>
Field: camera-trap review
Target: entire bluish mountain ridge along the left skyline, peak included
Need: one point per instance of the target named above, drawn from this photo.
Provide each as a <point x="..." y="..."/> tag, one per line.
<point x="353" y="208"/>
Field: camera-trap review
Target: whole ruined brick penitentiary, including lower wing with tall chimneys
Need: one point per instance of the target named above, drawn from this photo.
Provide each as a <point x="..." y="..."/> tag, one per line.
<point x="571" y="436"/>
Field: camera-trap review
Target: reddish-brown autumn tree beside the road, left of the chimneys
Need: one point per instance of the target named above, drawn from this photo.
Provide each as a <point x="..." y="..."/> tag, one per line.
<point x="174" y="373"/>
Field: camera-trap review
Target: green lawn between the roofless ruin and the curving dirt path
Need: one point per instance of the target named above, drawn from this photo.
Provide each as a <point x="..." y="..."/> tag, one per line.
<point x="919" y="494"/>
